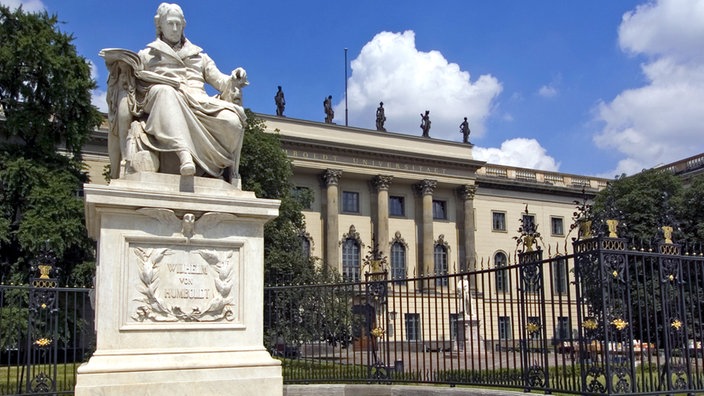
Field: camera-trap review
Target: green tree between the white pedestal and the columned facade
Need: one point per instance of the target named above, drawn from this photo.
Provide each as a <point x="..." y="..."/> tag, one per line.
<point x="293" y="314"/>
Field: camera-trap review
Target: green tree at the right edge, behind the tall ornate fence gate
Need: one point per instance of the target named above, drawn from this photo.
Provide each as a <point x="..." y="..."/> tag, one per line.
<point x="644" y="203"/>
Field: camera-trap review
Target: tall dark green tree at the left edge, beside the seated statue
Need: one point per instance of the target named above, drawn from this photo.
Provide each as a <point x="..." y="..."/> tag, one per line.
<point x="46" y="101"/>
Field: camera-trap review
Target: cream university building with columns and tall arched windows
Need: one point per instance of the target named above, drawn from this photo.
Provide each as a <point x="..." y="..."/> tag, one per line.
<point x="429" y="205"/>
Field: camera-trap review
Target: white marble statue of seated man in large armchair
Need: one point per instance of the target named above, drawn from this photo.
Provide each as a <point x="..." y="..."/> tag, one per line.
<point x="161" y="118"/>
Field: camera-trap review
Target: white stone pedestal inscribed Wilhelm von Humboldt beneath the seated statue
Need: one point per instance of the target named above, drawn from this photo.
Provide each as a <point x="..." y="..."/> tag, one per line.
<point x="179" y="289"/>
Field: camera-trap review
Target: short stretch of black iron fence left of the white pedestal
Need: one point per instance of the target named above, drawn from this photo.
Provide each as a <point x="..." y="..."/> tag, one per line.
<point x="46" y="332"/>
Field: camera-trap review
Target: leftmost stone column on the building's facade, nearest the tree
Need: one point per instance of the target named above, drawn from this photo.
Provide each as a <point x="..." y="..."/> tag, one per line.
<point x="330" y="179"/>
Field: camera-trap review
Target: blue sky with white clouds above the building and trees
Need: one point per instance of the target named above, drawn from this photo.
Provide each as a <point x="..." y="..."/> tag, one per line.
<point x="595" y="87"/>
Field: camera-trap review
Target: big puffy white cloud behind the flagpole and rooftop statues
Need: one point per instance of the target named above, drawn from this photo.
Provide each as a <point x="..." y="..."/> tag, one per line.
<point x="389" y="68"/>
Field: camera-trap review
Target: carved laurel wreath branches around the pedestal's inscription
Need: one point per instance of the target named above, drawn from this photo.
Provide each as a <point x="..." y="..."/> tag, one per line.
<point x="157" y="310"/>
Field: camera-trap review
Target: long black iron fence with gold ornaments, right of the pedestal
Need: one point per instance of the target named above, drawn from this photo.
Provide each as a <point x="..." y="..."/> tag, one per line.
<point x="604" y="319"/>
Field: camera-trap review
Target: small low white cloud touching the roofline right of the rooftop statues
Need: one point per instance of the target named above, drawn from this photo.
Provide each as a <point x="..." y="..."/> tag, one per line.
<point x="520" y="152"/>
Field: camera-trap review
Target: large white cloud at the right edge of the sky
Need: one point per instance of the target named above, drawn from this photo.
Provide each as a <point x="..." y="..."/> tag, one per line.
<point x="663" y="120"/>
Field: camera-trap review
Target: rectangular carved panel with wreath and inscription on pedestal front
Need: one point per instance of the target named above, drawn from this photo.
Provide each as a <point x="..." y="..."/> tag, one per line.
<point x="183" y="283"/>
